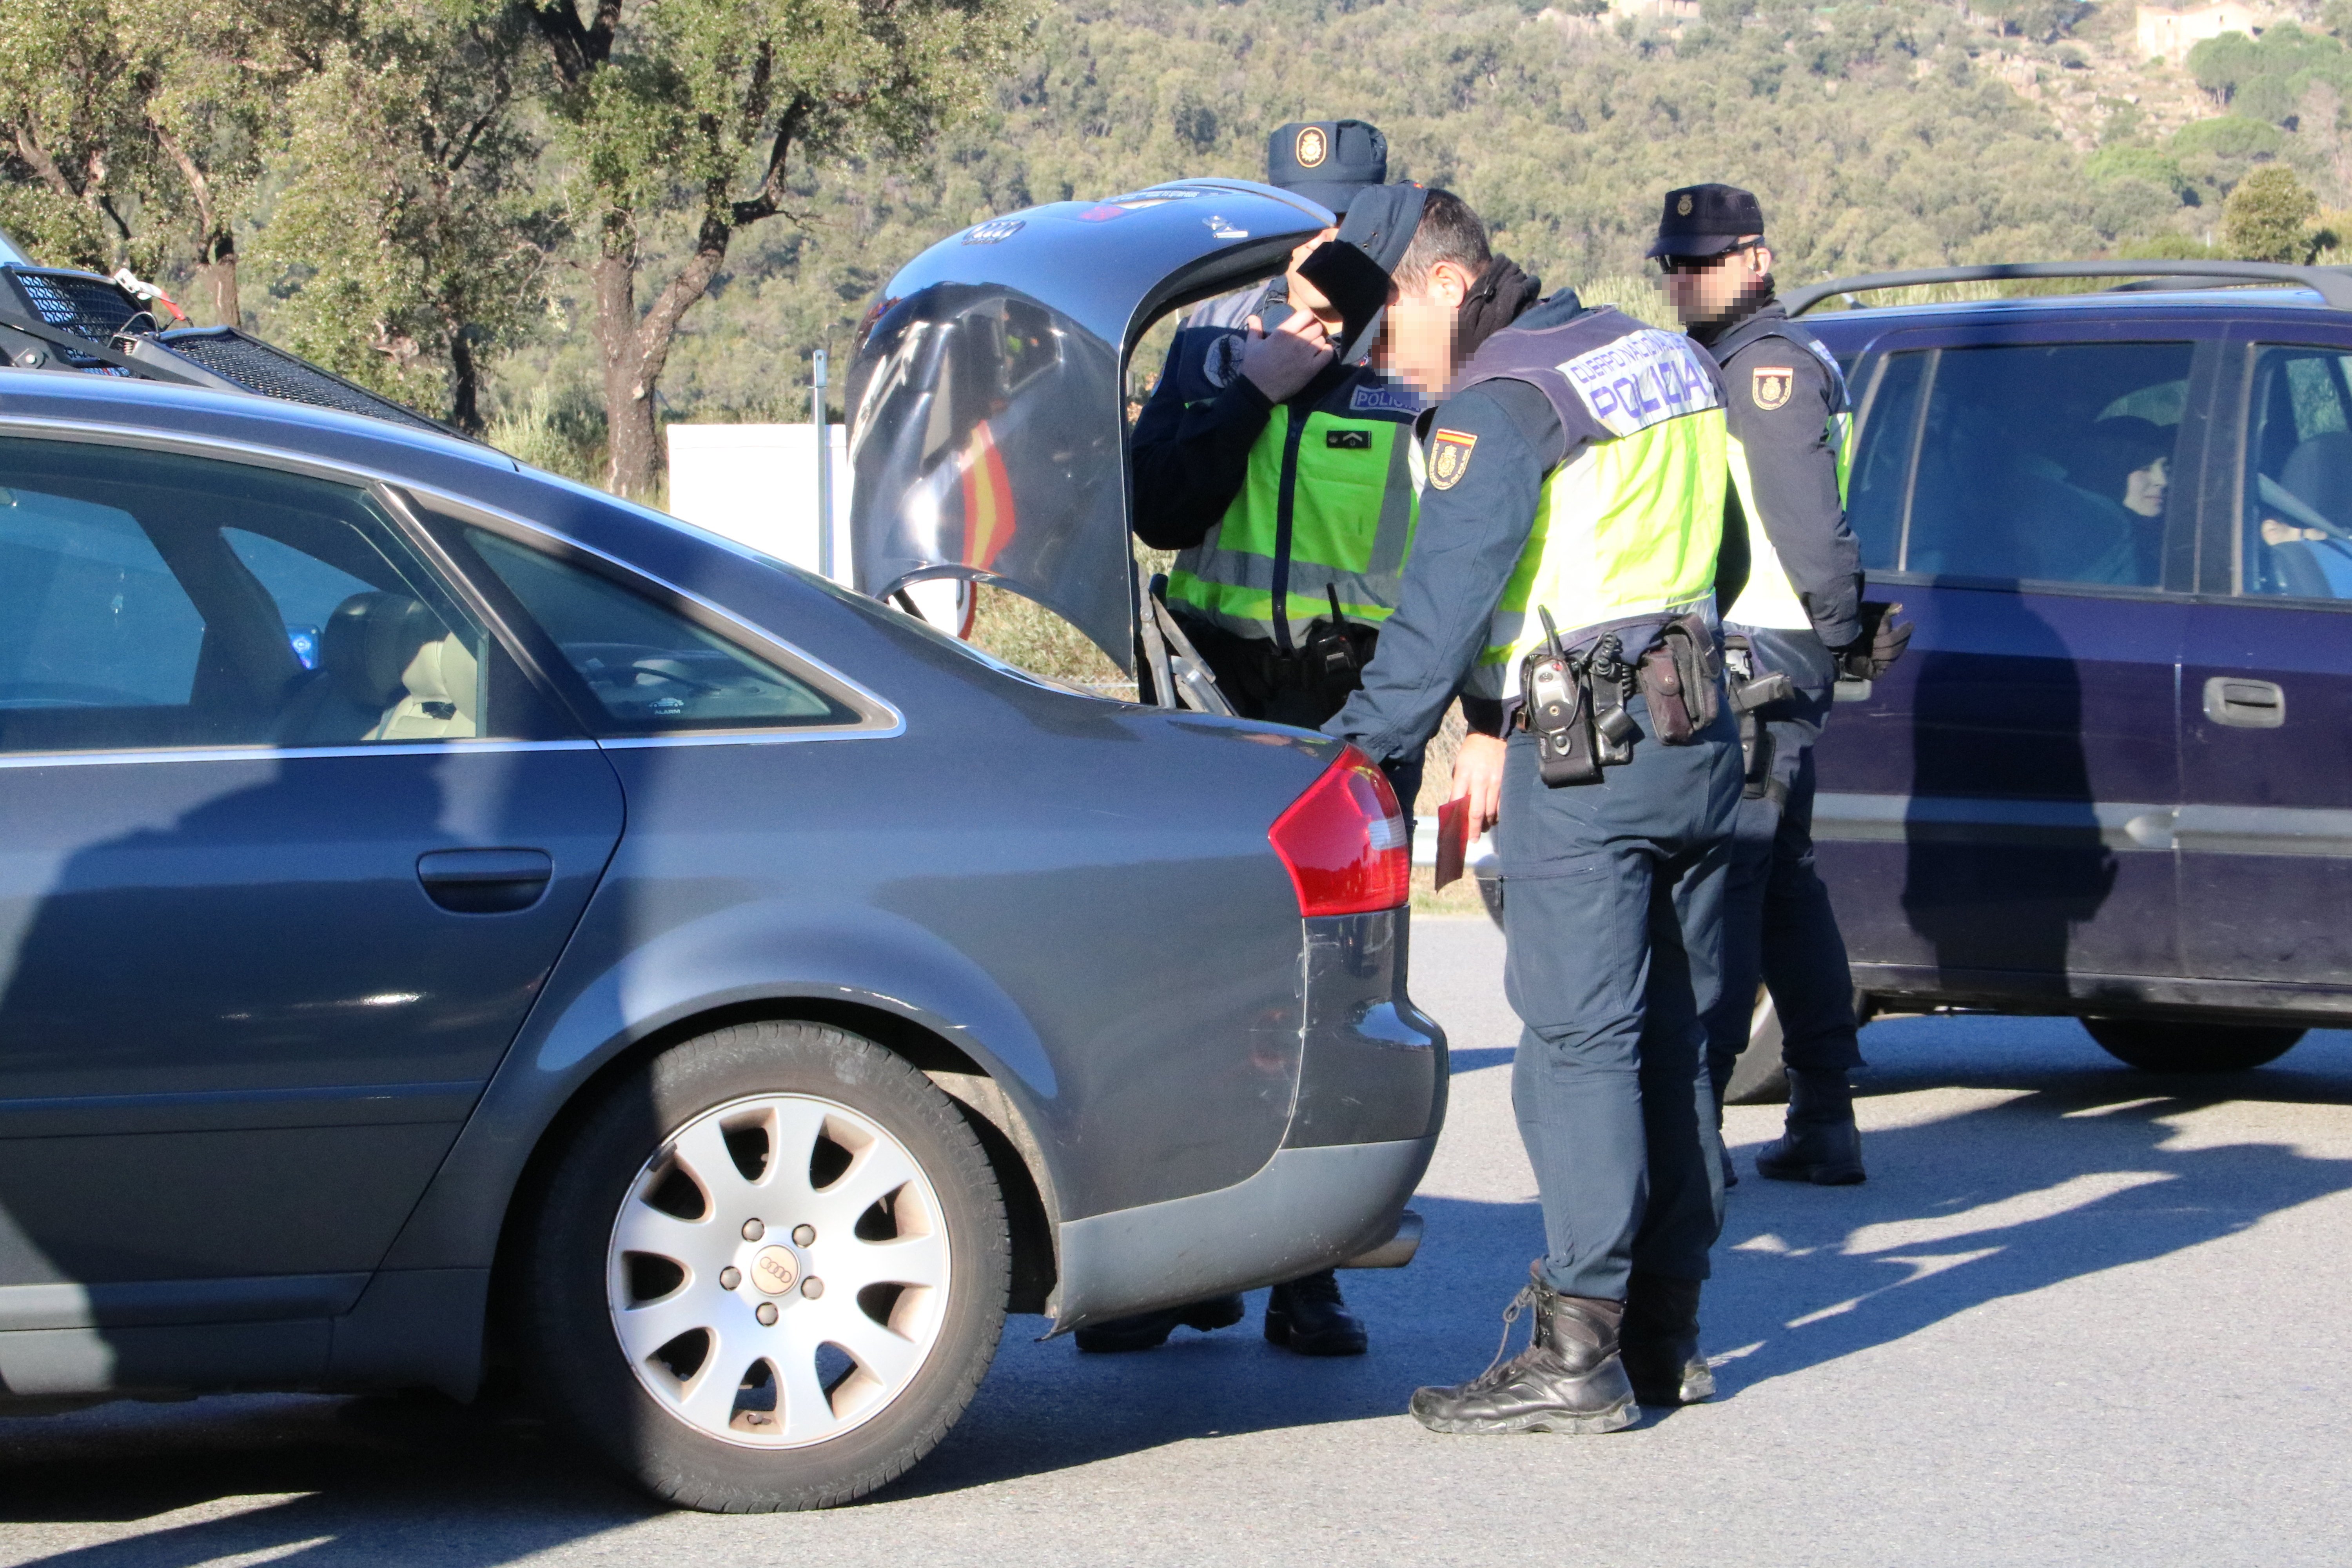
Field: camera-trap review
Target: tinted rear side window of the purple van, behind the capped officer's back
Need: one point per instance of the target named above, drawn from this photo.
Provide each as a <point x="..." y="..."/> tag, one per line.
<point x="2047" y="464"/>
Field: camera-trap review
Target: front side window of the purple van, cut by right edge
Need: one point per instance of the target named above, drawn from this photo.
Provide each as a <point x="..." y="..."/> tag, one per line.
<point x="2297" y="537"/>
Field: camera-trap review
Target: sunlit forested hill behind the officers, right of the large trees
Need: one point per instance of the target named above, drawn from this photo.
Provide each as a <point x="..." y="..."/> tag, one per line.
<point x="1906" y="133"/>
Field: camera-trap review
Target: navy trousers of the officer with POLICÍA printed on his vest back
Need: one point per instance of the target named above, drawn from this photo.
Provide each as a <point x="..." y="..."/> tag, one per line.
<point x="1615" y="925"/>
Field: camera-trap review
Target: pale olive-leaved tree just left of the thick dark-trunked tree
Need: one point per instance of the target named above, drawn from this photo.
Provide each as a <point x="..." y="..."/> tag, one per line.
<point x="408" y="239"/>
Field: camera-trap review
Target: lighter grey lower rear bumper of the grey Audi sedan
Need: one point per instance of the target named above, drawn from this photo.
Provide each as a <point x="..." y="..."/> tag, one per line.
<point x="1307" y="1209"/>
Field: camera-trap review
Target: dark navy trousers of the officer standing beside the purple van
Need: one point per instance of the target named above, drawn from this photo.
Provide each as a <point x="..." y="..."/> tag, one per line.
<point x="1779" y="927"/>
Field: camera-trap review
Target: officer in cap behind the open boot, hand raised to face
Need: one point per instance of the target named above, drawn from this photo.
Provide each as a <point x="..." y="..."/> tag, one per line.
<point x="1281" y="478"/>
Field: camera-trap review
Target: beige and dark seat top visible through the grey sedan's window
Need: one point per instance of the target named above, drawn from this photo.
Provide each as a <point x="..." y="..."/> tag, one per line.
<point x="387" y="671"/>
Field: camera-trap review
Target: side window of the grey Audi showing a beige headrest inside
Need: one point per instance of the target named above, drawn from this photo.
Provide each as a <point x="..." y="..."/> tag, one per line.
<point x="159" y="601"/>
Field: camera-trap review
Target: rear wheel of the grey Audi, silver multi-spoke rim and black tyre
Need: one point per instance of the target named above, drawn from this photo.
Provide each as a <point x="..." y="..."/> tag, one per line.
<point x="714" y="1191"/>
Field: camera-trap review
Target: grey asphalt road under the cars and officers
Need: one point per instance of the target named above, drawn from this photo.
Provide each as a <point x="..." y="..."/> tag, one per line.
<point x="2080" y="1315"/>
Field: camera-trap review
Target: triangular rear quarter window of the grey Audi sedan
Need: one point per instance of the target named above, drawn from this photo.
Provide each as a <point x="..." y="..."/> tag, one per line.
<point x="648" y="666"/>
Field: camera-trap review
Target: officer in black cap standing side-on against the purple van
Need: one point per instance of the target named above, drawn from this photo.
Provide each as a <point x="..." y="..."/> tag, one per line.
<point x="1793" y="629"/>
